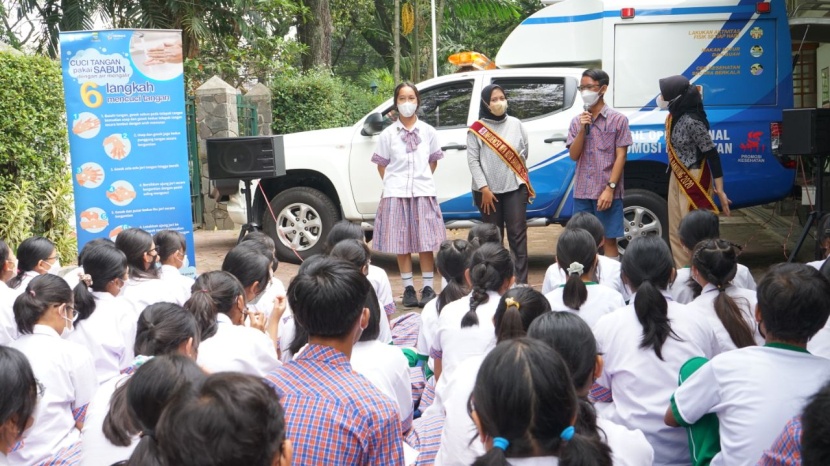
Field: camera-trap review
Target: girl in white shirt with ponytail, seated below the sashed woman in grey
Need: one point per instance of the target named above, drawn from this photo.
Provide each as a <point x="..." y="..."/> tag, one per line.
<point x="465" y="327"/>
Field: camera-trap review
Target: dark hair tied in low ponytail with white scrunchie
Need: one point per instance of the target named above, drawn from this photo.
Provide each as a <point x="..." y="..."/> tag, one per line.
<point x="576" y="254"/>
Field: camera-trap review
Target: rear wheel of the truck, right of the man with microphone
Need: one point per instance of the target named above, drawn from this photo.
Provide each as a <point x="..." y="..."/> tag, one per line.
<point x="646" y="214"/>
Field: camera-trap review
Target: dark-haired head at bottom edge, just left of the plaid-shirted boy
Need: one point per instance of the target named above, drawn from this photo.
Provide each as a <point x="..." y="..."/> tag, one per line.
<point x="239" y="413"/>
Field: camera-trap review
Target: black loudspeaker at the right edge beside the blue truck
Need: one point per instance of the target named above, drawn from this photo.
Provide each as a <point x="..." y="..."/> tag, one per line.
<point x="806" y="131"/>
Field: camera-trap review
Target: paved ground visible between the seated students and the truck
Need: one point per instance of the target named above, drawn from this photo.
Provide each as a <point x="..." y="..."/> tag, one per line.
<point x="760" y="230"/>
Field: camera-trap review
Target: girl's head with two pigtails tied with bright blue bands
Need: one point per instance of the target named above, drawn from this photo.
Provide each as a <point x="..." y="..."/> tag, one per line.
<point x="524" y="406"/>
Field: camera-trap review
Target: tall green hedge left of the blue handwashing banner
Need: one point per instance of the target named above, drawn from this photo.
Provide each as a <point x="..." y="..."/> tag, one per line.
<point x="35" y="185"/>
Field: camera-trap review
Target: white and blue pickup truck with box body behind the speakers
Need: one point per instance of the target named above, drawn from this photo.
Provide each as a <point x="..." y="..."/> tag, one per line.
<point x="715" y="43"/>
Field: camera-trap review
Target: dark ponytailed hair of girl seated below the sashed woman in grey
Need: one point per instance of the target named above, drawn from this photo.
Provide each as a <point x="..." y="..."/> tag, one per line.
<point x="490" y="267"/>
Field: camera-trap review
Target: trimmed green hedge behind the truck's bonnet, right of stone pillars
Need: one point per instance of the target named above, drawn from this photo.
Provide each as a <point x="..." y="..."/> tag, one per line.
<point x="318" y="100"/>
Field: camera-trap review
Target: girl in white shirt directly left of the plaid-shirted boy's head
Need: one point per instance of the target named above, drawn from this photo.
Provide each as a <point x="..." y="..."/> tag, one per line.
<point x="218" y="303"/>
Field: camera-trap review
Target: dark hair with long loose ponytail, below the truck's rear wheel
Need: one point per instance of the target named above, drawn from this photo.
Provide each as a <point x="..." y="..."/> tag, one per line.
<point x="647" y="266"/>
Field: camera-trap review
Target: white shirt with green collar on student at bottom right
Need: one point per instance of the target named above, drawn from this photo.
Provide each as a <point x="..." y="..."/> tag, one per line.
<point x="754" y="391"/>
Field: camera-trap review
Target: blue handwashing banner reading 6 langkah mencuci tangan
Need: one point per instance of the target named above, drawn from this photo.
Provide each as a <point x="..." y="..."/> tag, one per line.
<point x="125" y="106"/>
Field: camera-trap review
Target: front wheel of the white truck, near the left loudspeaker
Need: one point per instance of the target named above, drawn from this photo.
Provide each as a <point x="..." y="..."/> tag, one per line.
<point x="304" y="218"/>
